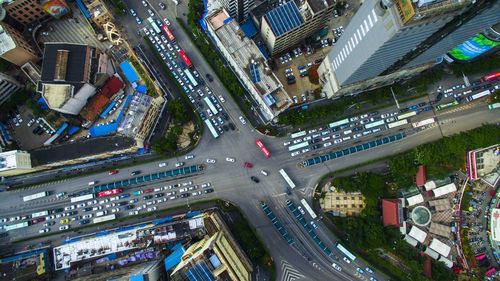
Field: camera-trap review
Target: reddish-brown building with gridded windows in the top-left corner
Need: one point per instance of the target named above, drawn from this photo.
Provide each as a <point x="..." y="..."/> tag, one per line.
<point x="25" y="11"/>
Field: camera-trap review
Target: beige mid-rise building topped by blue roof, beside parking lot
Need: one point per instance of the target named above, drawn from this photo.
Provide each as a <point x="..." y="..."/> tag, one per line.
<point x="287" y="25"/>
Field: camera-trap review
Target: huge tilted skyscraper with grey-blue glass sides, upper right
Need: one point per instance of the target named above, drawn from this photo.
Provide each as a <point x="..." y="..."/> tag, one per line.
<point x="388" y="40"/>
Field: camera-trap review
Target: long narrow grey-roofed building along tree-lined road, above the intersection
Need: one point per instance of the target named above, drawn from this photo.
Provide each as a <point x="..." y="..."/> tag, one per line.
<point x="248" y="63"/>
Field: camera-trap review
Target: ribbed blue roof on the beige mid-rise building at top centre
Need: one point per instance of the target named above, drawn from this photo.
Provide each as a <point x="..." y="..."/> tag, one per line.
<point x="284" y="18"/>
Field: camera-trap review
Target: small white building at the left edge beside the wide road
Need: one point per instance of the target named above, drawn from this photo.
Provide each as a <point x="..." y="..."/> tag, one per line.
<point x="14" y="162"/>
